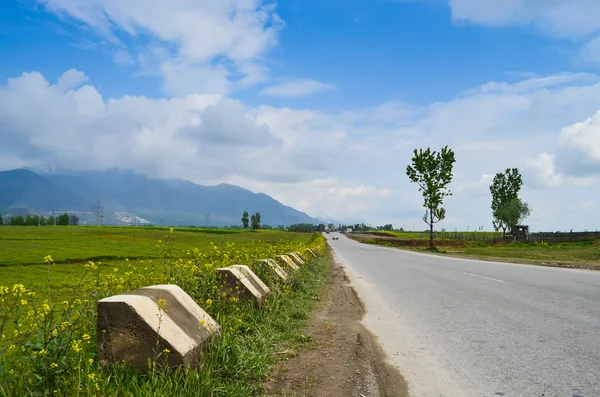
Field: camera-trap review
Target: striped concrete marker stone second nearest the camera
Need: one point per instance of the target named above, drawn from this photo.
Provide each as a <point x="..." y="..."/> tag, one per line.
<point x="240" y="281"/>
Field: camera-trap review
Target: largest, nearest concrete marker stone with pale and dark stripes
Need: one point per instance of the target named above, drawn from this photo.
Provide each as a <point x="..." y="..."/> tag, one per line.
<point x="132" y="328"/>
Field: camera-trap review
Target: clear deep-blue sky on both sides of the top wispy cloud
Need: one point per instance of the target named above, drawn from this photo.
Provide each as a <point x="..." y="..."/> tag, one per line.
<point x="371" y="51"/>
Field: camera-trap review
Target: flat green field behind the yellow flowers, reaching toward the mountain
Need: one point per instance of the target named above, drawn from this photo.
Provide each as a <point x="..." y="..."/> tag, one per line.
<point x="23" y="248"/>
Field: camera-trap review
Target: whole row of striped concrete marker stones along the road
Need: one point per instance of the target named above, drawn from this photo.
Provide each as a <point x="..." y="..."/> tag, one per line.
<point x="133" y="330"/>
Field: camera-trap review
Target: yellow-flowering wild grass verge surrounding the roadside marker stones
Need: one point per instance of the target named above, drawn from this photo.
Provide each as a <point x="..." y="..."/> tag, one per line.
<point x="48" y="348"/>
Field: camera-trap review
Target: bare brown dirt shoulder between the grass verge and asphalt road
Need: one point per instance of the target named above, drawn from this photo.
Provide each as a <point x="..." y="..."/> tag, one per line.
<point x="341" y="357"/>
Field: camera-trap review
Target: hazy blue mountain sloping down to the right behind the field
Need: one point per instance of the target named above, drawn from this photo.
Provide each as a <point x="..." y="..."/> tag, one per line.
<point x="168" y="201"/>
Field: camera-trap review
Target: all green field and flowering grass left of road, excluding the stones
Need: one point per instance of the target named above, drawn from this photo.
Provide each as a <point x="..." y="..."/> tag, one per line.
<point x="52" y="277"/>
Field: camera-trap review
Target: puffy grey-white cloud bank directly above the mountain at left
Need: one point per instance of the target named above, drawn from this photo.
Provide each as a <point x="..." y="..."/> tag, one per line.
<point x="200" y="136"/>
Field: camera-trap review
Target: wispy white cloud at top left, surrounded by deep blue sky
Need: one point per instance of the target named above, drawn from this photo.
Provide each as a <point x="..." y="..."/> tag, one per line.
<point x="208" y="44"/>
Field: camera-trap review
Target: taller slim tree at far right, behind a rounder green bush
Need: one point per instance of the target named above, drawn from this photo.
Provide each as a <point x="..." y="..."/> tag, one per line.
<point x="504" y="188"/>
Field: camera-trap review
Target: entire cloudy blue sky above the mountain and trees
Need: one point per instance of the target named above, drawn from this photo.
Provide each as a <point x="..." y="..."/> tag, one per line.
<point x="319" y="102"/>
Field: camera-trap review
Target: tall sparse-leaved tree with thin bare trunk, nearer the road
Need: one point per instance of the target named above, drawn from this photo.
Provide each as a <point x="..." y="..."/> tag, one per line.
<point x="432" y="172"/>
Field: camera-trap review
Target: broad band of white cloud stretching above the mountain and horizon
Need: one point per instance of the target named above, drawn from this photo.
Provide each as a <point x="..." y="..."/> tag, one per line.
<point x="347" y="165"/>
